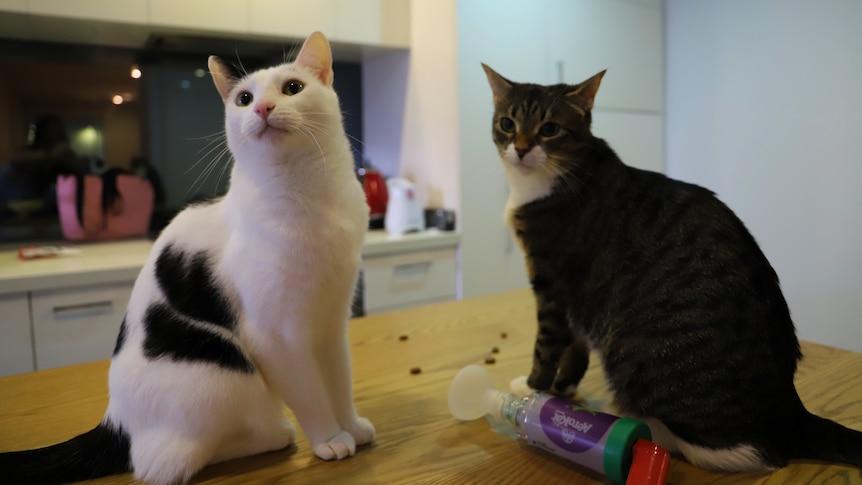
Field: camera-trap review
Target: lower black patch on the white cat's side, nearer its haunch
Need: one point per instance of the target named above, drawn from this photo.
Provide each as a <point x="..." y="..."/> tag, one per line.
<point x="171" y="335"/>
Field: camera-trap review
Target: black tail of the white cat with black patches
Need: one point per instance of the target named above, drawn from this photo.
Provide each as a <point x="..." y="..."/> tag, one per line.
<point x="102" y="451"/>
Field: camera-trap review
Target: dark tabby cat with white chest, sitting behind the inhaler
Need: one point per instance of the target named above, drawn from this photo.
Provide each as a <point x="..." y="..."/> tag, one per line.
<point x="662" y="281"/>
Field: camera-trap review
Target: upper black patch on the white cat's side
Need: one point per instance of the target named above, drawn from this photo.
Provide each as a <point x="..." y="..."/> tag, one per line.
<point x="191" y="289"/>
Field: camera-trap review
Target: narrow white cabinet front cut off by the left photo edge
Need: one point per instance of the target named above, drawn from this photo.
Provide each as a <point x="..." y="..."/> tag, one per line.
<point x="16" y="348"/>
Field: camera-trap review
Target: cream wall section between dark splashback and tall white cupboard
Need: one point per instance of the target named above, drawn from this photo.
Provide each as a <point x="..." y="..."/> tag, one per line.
<point x="410" y="106"/>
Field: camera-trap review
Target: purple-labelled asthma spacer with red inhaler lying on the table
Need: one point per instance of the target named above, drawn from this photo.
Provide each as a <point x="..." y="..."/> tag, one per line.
<point x="599" y="441"/>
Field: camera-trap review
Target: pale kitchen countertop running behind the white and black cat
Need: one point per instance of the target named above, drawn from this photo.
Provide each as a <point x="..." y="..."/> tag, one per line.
<point x="109" y="262"/>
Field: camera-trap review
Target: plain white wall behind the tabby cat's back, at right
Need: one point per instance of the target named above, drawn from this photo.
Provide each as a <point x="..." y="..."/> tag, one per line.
<point x="764" y="107"/>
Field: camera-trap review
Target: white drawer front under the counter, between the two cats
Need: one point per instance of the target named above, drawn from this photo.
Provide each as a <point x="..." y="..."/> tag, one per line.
<point x="408" y="279"/>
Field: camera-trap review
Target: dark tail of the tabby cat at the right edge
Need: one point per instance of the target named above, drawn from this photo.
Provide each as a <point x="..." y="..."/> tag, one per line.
<point x="822" y="439"/>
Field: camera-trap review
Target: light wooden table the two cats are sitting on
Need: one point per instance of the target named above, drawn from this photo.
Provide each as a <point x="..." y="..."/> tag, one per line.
<point x="417" y="440"/>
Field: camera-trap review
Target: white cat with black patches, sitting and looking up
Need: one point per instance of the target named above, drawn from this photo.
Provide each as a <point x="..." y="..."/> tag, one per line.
<point x="243" y="303"/>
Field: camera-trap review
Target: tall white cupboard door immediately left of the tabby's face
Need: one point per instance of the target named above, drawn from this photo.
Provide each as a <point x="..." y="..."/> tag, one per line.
<point x="509" y="36"/>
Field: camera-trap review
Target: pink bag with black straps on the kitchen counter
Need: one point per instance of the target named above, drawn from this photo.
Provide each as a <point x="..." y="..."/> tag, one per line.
<point x="112" y="206"/>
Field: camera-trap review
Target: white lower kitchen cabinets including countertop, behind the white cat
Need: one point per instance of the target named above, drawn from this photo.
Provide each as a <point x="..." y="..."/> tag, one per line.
<point x="62" y="311"/>
